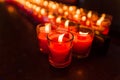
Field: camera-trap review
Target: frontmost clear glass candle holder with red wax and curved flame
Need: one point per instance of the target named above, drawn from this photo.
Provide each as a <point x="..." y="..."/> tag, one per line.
<point x="60" y="44"/>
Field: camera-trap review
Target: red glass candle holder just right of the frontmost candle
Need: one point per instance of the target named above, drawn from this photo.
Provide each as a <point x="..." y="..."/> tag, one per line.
<point x="82" y="42"/>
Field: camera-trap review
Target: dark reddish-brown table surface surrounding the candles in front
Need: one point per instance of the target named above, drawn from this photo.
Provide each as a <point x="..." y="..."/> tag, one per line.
<point x="20" y="58"/>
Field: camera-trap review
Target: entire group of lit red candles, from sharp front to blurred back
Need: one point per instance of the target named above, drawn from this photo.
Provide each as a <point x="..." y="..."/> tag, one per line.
<point x="65" y="30"/>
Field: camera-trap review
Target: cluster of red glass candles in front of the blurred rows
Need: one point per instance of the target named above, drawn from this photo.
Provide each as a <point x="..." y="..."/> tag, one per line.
<point x="61" y="43"/>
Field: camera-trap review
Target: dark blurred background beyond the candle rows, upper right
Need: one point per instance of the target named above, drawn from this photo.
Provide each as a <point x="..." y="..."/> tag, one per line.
<point x="101" y="6"/>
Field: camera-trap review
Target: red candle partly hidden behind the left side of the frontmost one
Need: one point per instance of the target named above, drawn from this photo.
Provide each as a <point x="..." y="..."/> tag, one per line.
<point x="42" y="31"/>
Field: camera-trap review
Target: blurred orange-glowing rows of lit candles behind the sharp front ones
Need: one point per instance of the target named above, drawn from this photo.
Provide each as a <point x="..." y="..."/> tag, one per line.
<point x="49" y="11"/>
